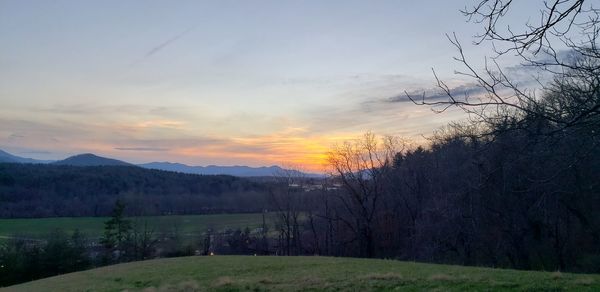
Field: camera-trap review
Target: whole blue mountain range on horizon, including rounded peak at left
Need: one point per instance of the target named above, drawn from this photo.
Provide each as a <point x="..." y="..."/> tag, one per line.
<point x="89" y="159"/>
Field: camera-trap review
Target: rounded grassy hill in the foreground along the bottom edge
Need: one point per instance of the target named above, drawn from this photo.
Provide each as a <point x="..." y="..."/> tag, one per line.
<point x="232" y="273"/>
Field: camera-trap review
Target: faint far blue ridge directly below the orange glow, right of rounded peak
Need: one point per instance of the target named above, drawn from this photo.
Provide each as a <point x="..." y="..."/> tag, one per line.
<point x="243" y="171"/>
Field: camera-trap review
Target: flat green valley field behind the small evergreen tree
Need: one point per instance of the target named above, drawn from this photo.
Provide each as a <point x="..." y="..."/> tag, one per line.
<point x="93" y="226"/>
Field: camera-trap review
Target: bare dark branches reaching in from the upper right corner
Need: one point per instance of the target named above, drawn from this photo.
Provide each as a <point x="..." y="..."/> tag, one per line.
<point x="572" y="24"/>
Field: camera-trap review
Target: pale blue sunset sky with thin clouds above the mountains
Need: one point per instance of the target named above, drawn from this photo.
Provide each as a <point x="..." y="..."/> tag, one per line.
<point x="222" y="82"/>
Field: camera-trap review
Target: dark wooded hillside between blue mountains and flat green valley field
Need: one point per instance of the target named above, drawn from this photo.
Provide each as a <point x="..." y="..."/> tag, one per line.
<point x="46" y="190"/>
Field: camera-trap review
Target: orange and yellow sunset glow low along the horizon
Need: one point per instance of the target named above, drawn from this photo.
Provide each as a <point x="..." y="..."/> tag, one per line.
<point x="291" y="148"/>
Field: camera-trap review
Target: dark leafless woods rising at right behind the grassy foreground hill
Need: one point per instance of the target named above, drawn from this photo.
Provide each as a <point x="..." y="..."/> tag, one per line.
<point x="512" y="199"/>
